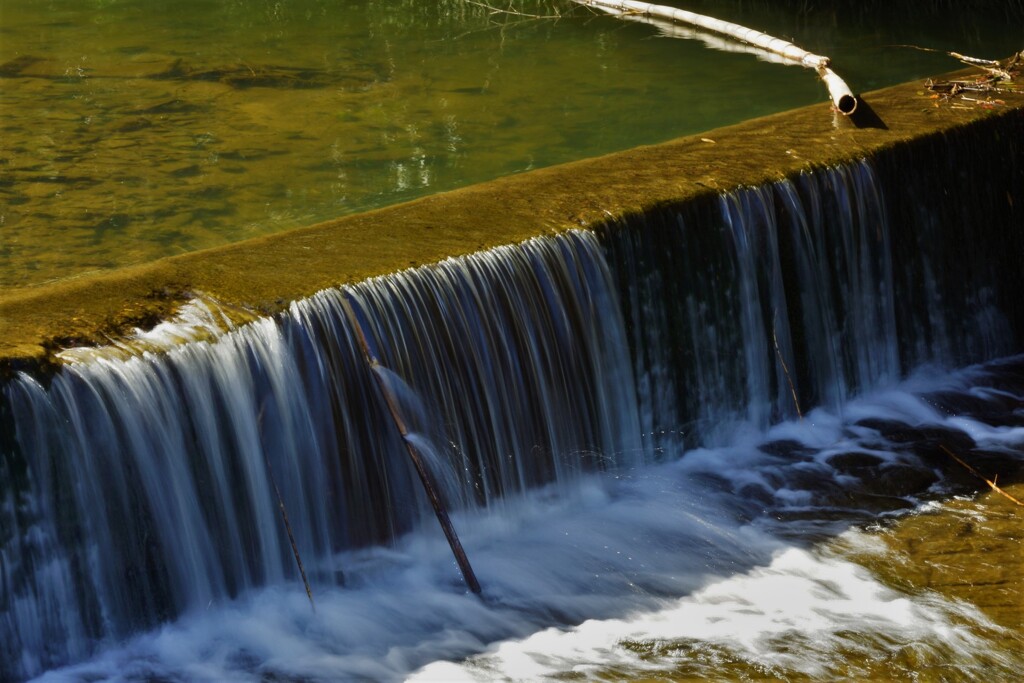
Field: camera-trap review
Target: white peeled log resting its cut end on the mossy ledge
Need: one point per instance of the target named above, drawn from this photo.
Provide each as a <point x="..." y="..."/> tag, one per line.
<point x="842" y="97"/>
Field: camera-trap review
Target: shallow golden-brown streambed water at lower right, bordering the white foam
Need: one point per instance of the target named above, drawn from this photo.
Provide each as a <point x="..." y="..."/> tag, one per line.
<point x="967" y="551"/>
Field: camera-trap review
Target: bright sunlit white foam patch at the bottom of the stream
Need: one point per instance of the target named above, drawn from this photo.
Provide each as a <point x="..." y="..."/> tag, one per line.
<point x="813" y="602"/>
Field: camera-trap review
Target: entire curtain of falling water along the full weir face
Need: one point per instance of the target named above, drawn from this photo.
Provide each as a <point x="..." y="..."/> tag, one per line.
<point x="137" y="488"/>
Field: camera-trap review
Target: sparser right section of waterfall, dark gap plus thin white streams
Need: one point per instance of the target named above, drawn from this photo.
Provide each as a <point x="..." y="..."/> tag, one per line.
<point x="752" y="306"/>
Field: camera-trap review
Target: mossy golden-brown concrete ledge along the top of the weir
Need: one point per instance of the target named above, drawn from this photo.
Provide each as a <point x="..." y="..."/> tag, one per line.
<point x="267" y="274"/>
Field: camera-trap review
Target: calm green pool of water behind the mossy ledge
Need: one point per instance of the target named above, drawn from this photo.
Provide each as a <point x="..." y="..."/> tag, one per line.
<point x="136" y="130"/>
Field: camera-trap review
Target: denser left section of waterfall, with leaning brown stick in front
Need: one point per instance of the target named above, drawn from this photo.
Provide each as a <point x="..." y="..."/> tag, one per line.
<point x="144" y="487"/>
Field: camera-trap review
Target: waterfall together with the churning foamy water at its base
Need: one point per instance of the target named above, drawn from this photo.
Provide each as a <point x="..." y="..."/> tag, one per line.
<point x="665" y="447"/>
